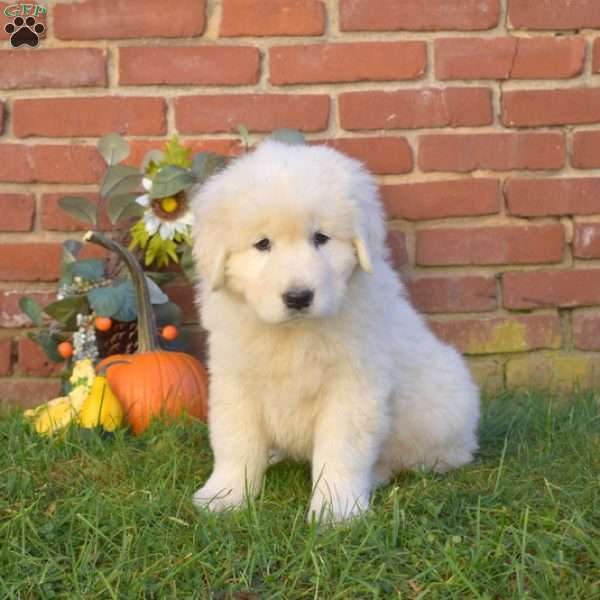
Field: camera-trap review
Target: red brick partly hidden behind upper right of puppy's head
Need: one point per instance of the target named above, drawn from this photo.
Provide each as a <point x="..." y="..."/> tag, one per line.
<point x="382" y="156"/>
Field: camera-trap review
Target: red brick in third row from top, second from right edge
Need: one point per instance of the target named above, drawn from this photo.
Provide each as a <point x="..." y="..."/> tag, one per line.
<point x="408" y="109"/>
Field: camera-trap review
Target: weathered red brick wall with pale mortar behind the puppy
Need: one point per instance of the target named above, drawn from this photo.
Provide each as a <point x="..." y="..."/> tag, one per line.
<point x="481" y="118"/>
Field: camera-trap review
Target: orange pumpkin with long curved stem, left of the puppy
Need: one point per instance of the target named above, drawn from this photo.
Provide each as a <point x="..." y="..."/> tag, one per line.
<point x="152" y="382"/>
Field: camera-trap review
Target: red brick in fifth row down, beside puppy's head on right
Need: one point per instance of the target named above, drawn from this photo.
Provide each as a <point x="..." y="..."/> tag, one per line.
<point x="440" y="199"/>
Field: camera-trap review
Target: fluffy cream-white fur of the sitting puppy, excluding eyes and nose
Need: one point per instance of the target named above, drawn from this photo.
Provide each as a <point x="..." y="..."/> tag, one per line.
<point x="356" y="383"/>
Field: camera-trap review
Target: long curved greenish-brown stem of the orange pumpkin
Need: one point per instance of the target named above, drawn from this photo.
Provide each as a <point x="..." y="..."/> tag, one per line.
<point x="147" y="331"/>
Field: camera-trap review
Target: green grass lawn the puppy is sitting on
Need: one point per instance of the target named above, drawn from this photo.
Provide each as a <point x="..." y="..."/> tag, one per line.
<point x="87" y="517"/>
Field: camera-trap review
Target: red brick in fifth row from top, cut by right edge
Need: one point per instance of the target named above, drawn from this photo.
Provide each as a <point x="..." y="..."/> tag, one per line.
<point x="553" y="197"/>
